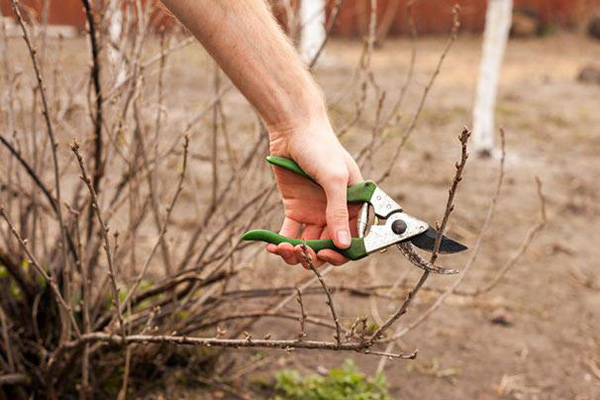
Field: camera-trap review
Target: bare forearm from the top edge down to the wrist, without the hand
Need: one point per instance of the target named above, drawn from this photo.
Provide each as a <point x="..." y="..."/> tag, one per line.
<point x="247" y="43"/>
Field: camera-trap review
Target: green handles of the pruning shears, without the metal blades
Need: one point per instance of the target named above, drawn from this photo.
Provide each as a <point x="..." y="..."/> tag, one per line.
<point x="359" y="193"/>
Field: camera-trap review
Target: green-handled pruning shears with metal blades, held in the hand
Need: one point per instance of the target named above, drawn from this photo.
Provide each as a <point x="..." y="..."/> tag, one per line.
<point x="392" y="226"/>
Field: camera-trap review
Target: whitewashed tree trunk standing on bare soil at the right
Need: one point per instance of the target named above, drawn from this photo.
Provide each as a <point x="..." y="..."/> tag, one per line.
<point x="497" y="28"/>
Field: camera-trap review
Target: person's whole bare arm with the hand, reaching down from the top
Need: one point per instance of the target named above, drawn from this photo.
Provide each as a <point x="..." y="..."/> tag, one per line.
<point x="245" y="40"/>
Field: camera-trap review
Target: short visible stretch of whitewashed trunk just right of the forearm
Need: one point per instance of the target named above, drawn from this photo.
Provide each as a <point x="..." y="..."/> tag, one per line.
<point x="312" y="22"/>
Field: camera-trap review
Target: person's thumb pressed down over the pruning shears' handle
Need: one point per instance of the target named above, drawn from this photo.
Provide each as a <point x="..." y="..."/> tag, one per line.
<point x="337" y="210"/>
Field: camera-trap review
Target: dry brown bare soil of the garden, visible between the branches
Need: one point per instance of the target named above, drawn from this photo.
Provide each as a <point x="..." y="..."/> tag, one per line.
<point x="536" y="335"/>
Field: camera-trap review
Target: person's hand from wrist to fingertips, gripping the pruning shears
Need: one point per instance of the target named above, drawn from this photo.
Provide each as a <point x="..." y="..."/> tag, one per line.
<point x="313" y="211"/>
